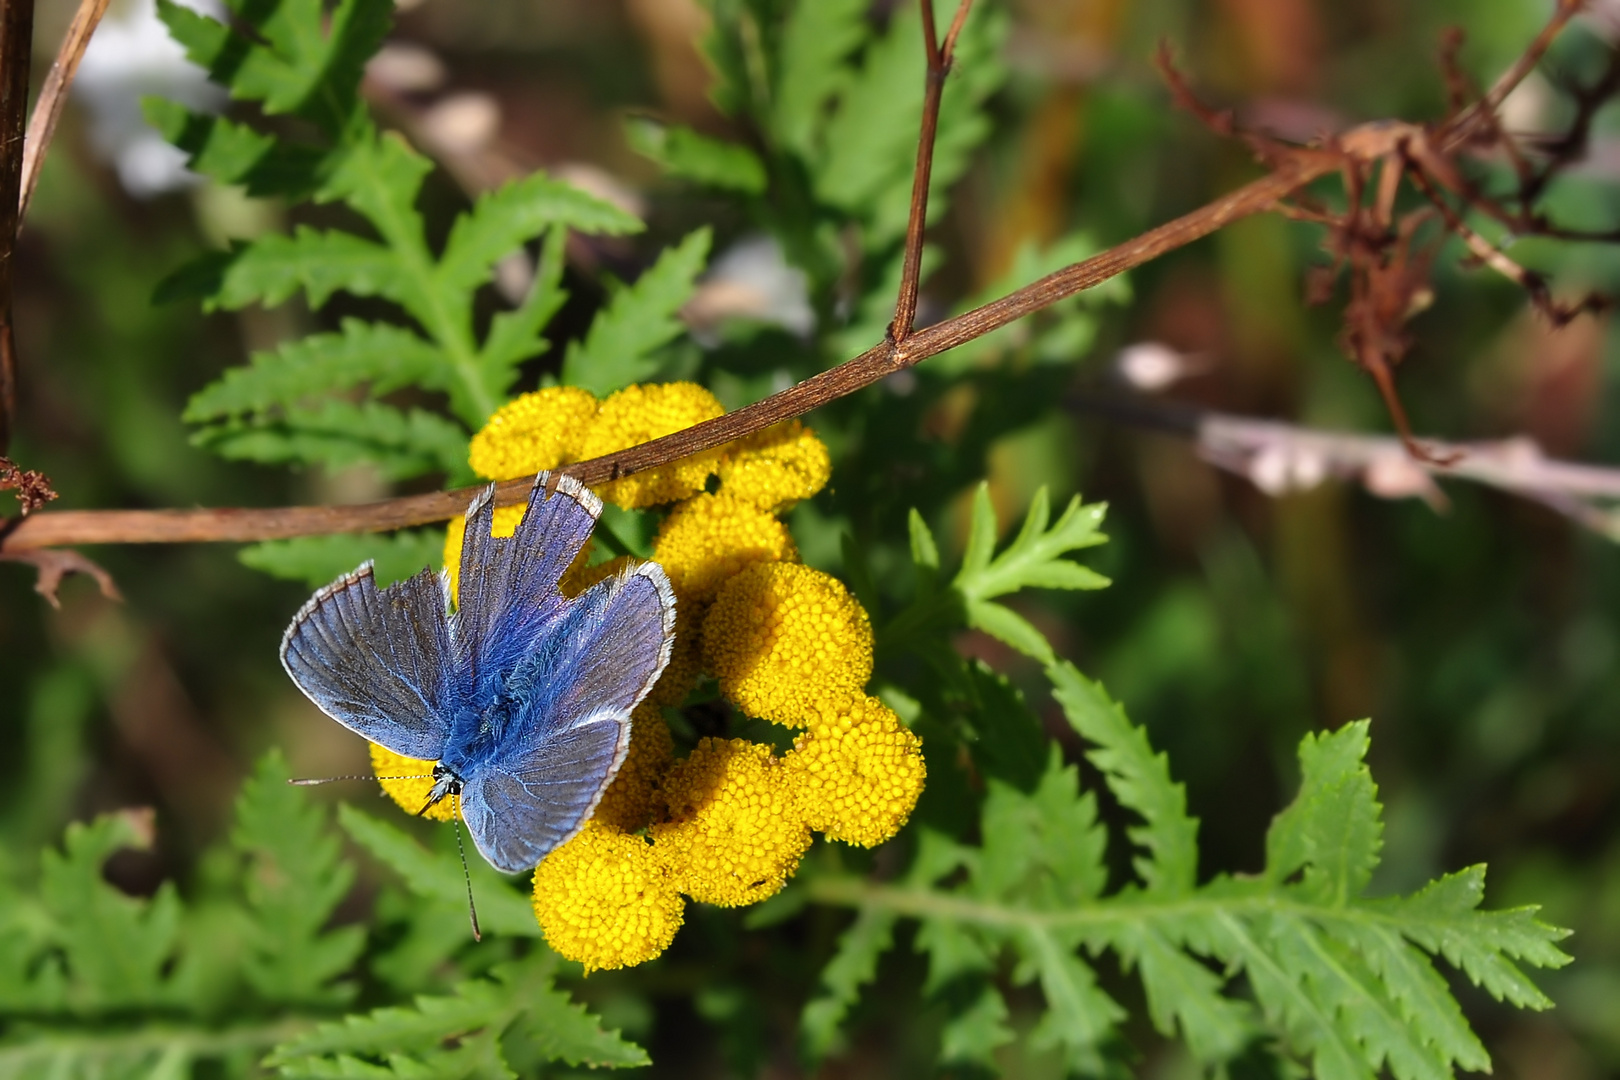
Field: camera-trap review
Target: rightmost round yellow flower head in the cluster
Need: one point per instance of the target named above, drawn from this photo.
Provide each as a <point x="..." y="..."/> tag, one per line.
<point x="858" y="772"/>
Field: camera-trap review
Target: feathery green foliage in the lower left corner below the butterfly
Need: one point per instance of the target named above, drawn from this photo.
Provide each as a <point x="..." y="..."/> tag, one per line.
<point x="101" y="984"/>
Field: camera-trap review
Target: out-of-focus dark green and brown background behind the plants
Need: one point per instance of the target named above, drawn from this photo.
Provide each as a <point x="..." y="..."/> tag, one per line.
<point x="1483" y="642"/>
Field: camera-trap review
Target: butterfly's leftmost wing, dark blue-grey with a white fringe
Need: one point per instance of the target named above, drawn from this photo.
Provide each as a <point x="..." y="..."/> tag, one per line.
<point x="380" y="663"/>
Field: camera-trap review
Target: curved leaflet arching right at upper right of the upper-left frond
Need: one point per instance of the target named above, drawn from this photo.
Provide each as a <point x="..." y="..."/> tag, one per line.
<point x="514" y="215"/>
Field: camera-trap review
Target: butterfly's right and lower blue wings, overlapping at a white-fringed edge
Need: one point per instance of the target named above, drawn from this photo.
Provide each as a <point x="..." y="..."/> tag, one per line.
<point x="573" y="729"/>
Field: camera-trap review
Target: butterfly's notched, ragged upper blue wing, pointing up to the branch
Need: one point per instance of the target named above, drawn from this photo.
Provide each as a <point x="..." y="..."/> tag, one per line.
<point x="509" y="585"/>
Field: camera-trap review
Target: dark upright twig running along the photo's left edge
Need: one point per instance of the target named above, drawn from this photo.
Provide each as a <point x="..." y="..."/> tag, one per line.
<point x="17" y="43"/>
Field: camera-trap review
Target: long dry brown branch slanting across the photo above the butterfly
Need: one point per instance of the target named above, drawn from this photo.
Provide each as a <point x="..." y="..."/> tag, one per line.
<point x="1366" y="237"/>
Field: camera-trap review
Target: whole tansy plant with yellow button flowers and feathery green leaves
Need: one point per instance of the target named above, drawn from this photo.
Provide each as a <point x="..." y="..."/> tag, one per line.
<point x="821" y="750"/>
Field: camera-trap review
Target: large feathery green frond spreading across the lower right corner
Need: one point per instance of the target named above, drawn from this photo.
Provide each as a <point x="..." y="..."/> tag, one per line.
<point x="1297" y="953"/>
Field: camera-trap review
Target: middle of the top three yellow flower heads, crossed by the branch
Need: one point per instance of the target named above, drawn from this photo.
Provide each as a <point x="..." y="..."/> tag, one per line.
<point x="639" y="414"/>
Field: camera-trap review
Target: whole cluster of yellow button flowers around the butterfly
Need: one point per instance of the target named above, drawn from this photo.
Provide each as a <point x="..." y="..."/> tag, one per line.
<point x="730" y="823"/>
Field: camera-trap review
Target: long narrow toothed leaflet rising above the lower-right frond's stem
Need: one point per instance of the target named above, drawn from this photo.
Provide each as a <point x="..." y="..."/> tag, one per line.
<point x="1138" y="778"/>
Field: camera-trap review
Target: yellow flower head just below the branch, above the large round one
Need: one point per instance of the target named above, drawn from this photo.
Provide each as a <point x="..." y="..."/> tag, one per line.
<point x="712" y="538"/>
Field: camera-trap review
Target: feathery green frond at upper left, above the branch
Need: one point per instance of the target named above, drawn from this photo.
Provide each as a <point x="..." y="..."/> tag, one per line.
<point x="283" y="407"/>
